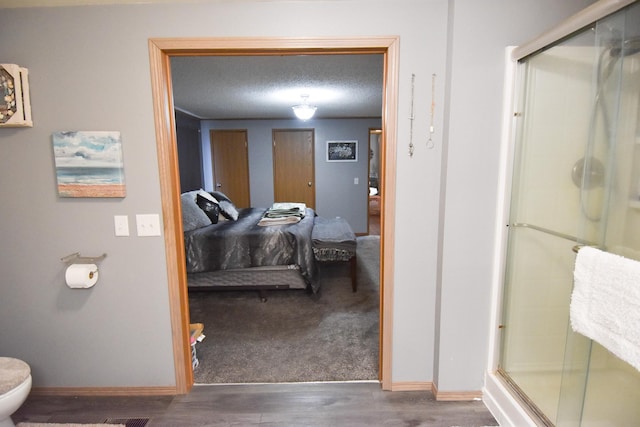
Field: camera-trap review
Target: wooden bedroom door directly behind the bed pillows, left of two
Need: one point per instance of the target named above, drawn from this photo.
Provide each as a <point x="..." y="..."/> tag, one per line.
<point x="230" y="158"/>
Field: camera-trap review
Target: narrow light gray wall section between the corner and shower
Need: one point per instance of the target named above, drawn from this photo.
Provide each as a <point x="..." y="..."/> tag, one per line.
<point x="479" y="33"/>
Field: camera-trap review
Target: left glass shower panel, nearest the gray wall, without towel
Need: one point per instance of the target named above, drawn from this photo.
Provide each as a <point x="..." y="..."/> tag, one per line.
<point x="545" y="218"/>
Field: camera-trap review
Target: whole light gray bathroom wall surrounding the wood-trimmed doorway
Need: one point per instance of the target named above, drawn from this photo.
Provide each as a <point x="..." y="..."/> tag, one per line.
<point x="89" y="70"/>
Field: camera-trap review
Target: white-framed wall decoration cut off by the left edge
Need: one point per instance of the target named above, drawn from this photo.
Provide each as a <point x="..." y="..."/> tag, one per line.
<point x="15" y="106"/>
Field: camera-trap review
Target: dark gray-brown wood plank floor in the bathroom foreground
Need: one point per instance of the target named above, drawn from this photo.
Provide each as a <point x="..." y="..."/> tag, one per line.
<point x="303" y="404"/>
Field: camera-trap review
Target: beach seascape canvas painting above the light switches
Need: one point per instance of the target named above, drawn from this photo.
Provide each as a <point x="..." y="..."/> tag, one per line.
<point x="89" y="164"/>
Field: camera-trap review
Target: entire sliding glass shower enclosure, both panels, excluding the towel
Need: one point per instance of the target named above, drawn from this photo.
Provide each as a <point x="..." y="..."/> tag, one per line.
<point x="576" y="179"/>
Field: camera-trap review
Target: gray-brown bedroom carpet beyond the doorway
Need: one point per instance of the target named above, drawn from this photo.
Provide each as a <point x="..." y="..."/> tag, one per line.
<point x="294" y="336"/>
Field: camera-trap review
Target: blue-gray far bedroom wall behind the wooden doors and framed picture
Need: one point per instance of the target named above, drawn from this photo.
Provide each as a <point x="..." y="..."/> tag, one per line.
<point x="336" y="193"/>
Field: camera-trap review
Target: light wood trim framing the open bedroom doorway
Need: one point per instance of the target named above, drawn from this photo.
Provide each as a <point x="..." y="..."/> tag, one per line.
<point x="160" y="51"/>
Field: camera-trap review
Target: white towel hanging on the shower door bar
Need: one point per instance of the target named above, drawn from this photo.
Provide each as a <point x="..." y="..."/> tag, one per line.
<point x="605" y="303"/>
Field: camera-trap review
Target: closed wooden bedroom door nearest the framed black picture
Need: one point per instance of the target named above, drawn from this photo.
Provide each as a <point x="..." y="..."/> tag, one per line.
<point x="293" y="166"/>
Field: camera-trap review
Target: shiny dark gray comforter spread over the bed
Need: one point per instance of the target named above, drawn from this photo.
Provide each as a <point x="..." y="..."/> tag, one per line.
<point x="244" y="244"/>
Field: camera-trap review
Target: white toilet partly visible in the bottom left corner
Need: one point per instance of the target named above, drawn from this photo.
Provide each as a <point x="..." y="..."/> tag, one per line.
<point x="15" y="385"/>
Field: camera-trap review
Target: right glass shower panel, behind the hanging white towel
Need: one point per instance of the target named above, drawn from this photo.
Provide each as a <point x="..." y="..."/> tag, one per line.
<point x="597" y="387"/>
